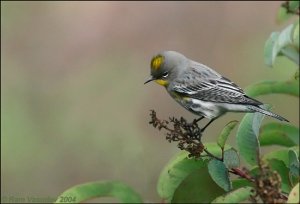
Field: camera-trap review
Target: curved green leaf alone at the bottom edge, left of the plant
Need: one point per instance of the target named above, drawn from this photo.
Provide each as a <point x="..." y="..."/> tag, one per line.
<point x="92" y="190"/>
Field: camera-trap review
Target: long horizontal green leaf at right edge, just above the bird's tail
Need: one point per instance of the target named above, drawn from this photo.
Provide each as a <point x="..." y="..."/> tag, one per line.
<point x="271" y="87"/>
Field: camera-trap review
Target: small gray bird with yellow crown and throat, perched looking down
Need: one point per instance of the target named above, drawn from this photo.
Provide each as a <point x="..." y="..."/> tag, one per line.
<point x="200" y="89"/>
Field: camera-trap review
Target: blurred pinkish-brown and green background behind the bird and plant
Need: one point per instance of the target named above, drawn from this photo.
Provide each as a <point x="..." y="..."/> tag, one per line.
<point x="74" y="108"/>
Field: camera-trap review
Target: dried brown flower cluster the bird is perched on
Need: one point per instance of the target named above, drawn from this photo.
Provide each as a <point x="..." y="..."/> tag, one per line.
<point x="188" y="135"/>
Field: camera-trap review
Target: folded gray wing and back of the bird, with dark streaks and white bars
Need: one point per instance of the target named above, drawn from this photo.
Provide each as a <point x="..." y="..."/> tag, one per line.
<point x="201" y="82"/>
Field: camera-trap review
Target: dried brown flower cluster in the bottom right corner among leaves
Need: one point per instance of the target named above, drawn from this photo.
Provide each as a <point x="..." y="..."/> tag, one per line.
<point x="267" y="186"/>
